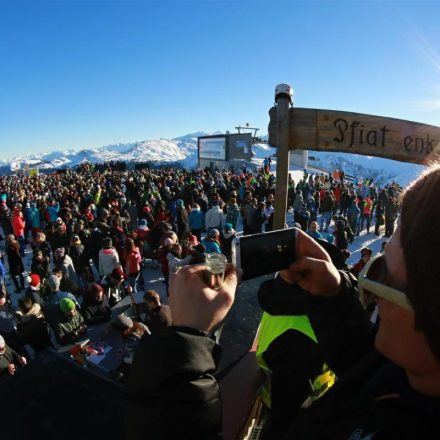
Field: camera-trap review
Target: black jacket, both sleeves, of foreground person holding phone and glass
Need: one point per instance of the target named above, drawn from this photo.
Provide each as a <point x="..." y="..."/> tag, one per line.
<point x="371" y="399"/>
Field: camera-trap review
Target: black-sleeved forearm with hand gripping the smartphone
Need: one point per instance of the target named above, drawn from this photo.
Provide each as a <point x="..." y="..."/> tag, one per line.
<point x="337" y="317"/>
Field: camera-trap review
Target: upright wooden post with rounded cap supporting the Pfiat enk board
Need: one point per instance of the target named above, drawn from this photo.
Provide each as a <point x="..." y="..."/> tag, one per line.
<point x="283" y="98"/>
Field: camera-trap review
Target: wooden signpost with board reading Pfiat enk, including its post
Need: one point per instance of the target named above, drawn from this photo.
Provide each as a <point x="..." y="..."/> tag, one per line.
<point x="344" y="132"/>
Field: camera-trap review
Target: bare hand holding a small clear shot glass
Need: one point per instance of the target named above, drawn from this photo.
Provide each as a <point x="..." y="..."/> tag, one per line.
<point x="194" y="304"/>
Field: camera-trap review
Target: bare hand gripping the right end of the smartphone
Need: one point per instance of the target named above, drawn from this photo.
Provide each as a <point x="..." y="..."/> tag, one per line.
<point x="313" y="269"/>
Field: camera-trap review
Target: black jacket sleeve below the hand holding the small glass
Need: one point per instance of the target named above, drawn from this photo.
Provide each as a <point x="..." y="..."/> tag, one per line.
<point x="171" y="390"/>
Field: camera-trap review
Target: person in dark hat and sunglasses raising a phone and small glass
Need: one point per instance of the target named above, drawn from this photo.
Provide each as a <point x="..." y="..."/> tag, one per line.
<point x="388" y="376"/>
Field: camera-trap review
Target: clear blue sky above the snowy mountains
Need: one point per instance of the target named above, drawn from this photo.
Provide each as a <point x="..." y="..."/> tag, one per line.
<point x="76" y="74"/>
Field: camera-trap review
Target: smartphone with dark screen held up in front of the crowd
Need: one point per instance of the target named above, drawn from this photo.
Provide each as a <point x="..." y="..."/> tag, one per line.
<point x="261" y="254"/>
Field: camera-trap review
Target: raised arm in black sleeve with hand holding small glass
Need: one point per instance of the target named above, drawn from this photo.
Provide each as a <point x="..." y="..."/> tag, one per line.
<point x="171" y="391"/>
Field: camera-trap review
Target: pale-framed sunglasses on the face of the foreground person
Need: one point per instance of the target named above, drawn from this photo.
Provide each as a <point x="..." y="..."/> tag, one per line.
<point x="371" y="284"/>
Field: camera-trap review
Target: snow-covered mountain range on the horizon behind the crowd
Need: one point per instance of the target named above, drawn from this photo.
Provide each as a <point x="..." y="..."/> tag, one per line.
<point x="183" y="150"/>
